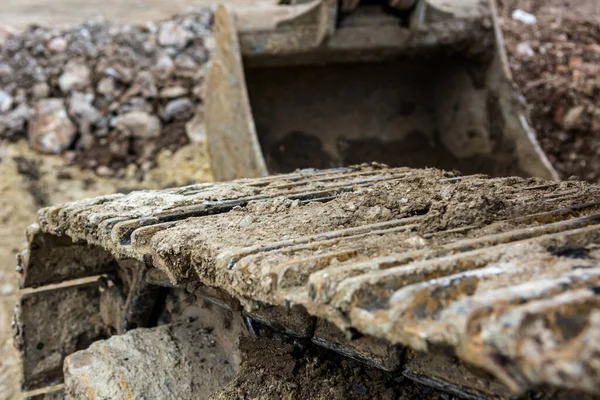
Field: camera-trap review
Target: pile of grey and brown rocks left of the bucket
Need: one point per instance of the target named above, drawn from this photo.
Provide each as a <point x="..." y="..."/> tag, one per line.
<point x="106" y="95"/>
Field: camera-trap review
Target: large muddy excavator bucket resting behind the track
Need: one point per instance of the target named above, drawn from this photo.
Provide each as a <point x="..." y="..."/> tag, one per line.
<point x="322" y="84"/>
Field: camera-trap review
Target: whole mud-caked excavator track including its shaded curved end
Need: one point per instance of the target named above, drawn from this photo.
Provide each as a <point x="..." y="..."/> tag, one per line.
<point x="406" y="270"/>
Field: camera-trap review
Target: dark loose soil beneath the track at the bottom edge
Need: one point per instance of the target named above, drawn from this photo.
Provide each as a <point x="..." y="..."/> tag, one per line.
<point x="294" y="372"/>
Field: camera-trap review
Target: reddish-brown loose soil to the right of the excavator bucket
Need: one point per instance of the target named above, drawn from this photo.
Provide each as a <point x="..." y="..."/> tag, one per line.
<point x="560" y="78"/>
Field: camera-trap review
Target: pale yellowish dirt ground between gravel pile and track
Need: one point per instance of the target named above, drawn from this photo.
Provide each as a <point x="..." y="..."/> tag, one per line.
<point x="29" y="181"/>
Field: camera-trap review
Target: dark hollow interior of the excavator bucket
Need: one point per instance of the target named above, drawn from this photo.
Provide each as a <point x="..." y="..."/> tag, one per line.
<point x="435" y="112"/>
